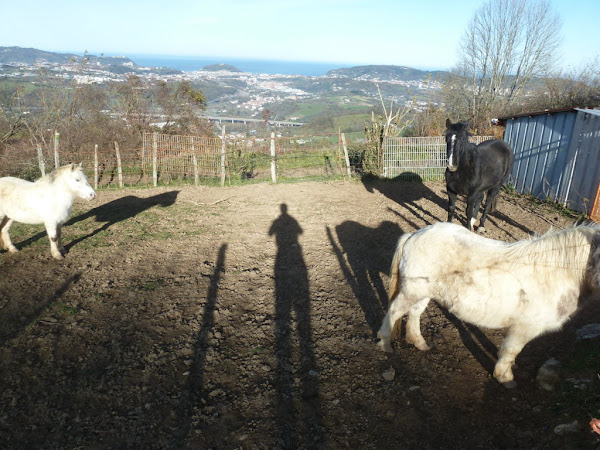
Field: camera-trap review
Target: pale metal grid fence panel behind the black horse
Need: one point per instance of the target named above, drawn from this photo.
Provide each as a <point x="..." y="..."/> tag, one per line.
<point x="421" y="158"/>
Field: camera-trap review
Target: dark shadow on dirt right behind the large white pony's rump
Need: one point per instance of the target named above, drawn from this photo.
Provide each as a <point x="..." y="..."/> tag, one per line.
<point x="363" y="254"/>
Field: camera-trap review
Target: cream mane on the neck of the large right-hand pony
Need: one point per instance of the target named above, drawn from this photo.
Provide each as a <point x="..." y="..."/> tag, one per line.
<point x="563" y="250"/>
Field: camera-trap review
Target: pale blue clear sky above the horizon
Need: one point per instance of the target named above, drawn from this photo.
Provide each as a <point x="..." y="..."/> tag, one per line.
<point x="423" y="34"/>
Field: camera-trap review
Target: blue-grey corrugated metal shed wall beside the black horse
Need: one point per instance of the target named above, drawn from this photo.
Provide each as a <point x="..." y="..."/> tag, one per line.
<point x="557" y="155"/>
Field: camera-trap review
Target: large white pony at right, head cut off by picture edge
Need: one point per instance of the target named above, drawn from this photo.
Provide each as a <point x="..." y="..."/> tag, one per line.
<point x="530" y="286"/>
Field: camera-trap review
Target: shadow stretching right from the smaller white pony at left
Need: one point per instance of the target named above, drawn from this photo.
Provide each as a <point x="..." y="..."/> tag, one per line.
<point x="119" y="210"/>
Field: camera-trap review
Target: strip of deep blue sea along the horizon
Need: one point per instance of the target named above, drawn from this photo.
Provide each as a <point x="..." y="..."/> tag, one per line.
<point x="192" y="63"/>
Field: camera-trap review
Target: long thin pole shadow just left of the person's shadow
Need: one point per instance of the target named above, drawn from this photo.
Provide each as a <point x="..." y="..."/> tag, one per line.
<point x="193" y="395"/>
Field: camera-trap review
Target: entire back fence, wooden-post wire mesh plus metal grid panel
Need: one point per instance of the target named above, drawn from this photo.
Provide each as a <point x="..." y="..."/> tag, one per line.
<point x="171" y="159"/>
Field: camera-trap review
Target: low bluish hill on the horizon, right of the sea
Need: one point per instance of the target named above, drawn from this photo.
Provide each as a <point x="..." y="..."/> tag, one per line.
<point x="386" y="73"/>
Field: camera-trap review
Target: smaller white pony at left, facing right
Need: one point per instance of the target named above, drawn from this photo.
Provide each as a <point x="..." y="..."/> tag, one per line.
<point x="48" y="200"/>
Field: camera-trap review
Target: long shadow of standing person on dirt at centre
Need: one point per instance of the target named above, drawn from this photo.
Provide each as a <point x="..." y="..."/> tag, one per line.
<point x="292" y="296"/>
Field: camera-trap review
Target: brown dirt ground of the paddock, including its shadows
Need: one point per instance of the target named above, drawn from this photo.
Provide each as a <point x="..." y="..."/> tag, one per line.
<point x="245" y="317"/>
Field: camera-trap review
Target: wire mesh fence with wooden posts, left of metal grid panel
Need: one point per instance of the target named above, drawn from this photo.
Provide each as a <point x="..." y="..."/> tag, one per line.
<point x="171" y="159"/>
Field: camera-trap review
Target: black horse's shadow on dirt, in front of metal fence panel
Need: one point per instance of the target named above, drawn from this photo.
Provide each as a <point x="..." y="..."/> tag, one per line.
<point x="406" y="190"/>
